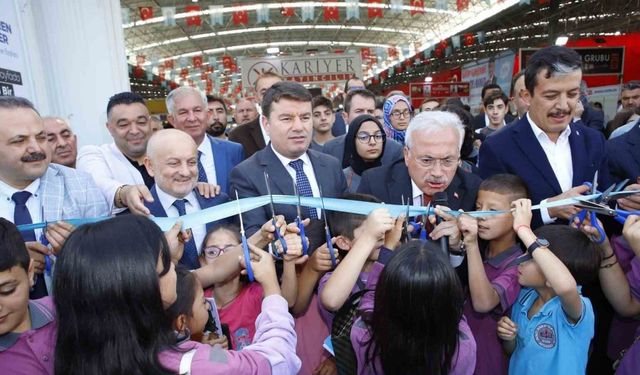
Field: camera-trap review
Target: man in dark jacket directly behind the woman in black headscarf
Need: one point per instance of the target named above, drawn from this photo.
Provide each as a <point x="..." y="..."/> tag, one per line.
<point x="359" y="102"/>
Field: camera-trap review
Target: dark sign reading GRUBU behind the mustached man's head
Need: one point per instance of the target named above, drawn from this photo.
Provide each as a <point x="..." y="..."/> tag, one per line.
<point x="595" y="61"/>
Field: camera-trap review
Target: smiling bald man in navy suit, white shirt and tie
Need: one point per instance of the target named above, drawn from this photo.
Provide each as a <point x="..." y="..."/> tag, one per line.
<point x="172" y="160"/>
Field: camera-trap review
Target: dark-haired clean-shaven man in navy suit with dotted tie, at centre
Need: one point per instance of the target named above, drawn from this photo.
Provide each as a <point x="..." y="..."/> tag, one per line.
<point x="286" y="115"/>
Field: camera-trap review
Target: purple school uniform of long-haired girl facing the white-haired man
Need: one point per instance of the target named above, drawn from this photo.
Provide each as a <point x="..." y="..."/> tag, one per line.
<point x="464" y="359"/>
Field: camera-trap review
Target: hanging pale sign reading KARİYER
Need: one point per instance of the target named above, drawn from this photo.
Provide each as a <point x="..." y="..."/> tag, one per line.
<point x="304" y="69"/>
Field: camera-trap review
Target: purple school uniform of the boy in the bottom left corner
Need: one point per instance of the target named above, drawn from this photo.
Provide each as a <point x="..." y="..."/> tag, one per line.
<point x="31" y="352"/>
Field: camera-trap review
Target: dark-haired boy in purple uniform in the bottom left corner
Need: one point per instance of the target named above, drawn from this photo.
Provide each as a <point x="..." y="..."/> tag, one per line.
<point x="25" y="326"/>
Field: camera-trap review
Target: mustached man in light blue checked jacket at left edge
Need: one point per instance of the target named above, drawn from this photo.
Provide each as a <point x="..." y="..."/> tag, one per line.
<point x="33" y="190"/>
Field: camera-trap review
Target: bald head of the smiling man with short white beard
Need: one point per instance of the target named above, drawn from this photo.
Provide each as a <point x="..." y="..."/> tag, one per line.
<point x="172" y="160"/>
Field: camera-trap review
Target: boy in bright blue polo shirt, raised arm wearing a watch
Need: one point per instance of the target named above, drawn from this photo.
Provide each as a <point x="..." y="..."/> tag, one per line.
<point x="551" y="323"/>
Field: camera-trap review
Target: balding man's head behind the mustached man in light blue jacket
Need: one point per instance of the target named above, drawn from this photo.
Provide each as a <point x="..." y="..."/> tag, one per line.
<point x="62" y="141"/>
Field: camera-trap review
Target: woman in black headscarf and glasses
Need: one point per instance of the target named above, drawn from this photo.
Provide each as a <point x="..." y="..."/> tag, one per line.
<point x="363" y="149"/>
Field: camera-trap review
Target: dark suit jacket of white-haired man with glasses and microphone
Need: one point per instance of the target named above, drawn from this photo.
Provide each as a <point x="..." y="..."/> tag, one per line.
<point x="390" y="183"/>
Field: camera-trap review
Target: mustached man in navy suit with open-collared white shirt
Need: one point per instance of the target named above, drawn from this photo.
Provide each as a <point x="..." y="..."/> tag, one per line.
<point x="553" y="156"/>
